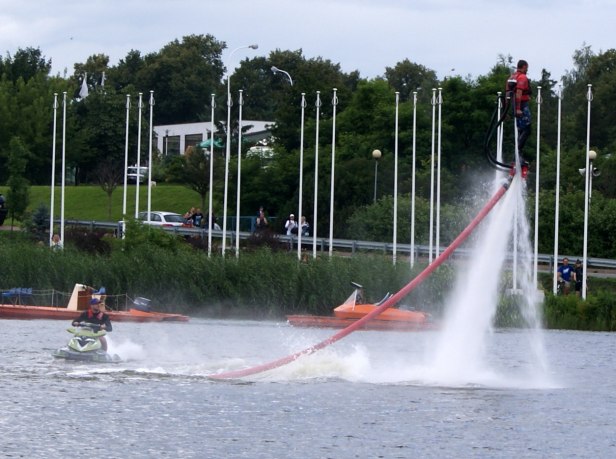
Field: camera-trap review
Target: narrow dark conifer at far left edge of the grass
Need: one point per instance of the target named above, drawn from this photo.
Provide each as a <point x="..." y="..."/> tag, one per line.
<point x="19" y="190"/>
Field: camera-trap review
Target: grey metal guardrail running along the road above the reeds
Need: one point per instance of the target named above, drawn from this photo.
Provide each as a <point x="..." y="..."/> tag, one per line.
<point x="349" y="245"/>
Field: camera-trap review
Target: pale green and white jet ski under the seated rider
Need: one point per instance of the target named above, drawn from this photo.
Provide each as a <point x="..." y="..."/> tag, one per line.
<point x="85" y="345"/>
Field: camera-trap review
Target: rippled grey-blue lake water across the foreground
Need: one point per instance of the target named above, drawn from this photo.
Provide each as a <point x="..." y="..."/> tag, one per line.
<point x="371" y="395"/>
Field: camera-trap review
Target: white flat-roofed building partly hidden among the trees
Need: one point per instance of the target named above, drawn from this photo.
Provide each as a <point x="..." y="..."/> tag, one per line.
<point x="174" y="139"/>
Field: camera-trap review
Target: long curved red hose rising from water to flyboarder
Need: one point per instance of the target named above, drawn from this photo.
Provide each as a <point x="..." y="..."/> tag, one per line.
<point x="387" y="304"/>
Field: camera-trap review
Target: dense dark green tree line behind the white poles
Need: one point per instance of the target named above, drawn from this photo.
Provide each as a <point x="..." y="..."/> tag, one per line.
<point x="184" y="74"/>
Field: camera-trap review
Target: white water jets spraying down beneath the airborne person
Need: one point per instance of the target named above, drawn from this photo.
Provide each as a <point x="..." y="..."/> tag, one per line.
<point x="460" y="355"/>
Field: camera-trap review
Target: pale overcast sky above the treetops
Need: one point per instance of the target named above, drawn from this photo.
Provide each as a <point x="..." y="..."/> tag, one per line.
<point x="448" y="36"/>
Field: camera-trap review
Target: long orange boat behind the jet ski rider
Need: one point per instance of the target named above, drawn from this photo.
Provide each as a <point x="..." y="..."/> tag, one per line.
<point x="78" y="302"/>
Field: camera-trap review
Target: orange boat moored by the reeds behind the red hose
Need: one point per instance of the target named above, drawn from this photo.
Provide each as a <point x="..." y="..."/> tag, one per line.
<point x="354" y="309"/>
